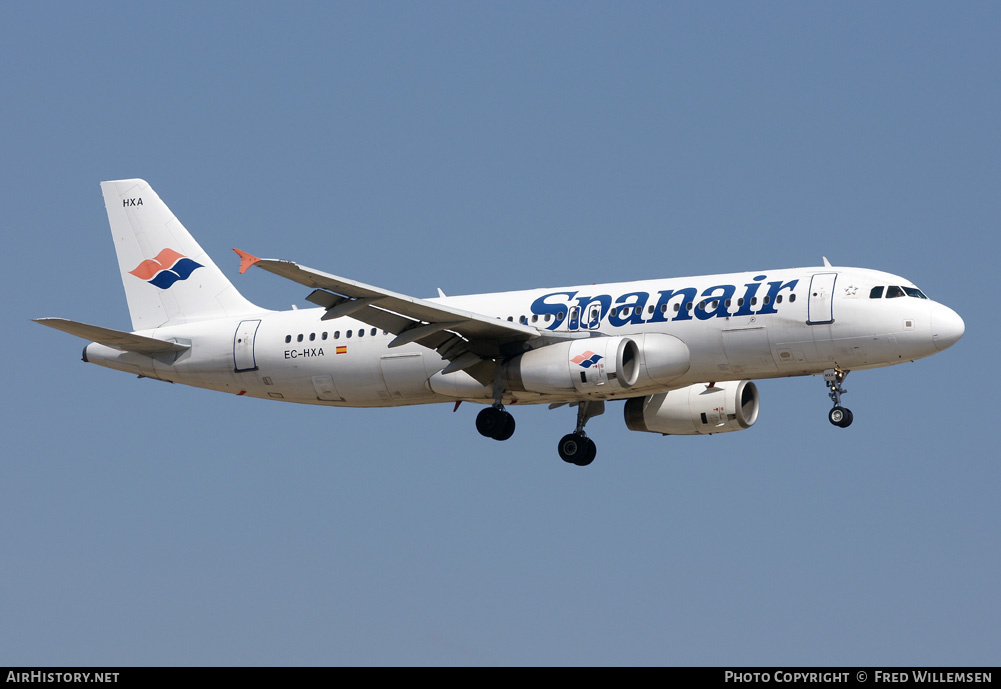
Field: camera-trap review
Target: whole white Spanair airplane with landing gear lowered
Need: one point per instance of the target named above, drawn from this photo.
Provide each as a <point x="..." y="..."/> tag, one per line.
<point x="681" y="354"/>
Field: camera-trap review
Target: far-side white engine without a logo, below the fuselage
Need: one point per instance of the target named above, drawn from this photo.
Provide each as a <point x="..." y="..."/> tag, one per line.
<point x="696" y="410"/>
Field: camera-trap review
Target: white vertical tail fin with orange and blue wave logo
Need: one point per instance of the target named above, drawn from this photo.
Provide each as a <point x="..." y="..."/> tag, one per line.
<point x="169" y="278"/>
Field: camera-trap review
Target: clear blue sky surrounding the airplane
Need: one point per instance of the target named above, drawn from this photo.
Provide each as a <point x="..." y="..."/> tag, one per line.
<point x="478" y="148"/>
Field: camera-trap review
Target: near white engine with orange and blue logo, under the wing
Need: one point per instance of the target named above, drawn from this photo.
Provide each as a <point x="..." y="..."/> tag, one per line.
<point x="592" y="365"/>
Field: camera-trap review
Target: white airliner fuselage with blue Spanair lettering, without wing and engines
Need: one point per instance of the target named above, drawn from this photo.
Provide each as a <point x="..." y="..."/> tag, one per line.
<point x="739" y="326"/>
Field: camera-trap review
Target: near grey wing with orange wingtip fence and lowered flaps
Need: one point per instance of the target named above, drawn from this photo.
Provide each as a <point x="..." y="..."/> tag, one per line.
<point x="468" y="340"/>
